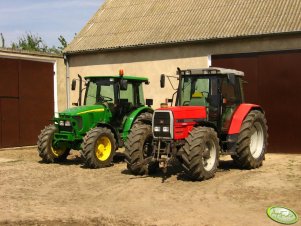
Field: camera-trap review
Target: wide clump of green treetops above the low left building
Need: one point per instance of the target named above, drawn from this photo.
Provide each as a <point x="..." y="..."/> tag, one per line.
<point x="34" y="42"/>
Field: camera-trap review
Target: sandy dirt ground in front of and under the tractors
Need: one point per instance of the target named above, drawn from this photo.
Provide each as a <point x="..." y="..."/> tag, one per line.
<point x="32" y="193"/>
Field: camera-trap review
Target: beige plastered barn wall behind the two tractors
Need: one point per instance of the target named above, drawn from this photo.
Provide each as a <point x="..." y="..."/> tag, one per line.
<point x="149" y="63"/>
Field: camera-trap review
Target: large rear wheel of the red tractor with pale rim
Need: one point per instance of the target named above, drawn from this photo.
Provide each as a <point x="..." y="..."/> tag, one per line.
<point x="252" y="141"/>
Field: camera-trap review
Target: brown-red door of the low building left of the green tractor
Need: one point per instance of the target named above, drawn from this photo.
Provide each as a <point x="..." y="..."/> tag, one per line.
<point x="26" y="100"/>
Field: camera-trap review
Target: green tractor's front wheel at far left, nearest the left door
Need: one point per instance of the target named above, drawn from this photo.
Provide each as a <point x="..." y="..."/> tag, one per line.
<point x="46" y="149"/>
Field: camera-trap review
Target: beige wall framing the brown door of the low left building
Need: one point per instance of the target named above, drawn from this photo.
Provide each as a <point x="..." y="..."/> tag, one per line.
<point x="59" y="67"/>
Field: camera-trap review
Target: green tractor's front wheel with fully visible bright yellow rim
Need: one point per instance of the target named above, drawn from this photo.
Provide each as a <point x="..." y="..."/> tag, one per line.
<point x="99" y="148"/>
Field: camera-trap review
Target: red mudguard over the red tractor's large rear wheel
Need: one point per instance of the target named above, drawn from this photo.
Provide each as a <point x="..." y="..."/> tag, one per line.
<point x="239" y="116"/>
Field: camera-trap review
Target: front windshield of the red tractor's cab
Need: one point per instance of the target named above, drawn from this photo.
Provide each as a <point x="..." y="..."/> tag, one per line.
<point x="194" y="91"/>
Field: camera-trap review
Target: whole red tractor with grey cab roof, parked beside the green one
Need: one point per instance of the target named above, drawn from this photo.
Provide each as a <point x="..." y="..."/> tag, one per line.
<point x="210" y="118"/>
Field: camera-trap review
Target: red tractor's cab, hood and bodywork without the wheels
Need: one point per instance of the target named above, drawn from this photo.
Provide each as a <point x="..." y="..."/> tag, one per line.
<point x="215" y="94"/>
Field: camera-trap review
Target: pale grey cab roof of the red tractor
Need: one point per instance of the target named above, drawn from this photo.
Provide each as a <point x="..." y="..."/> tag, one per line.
<point x="212" y="71"/>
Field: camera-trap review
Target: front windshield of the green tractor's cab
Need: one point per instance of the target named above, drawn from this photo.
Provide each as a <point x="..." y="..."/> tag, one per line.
<point x="99" y="92"/>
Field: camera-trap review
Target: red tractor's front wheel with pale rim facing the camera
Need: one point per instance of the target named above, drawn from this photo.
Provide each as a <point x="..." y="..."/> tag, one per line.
<point x="200" y="153"/>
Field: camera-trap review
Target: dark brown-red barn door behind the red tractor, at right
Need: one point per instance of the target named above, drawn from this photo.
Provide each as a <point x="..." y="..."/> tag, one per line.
<point x="274" y="81"/>
